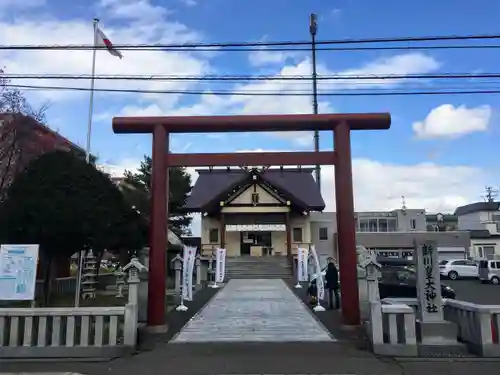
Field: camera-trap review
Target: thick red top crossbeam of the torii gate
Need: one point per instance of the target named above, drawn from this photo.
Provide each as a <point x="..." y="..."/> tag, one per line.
<point x="253" y="123"/>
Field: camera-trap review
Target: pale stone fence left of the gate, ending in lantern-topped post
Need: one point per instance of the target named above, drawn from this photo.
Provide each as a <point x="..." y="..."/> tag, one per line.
<point x="73" y="332"/>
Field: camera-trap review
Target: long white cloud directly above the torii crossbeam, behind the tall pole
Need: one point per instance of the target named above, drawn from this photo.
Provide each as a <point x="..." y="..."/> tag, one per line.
<point x="211" y="104"/>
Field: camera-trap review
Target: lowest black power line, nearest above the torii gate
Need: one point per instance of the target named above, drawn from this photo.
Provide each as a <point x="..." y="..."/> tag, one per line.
<point x="243" y="93"/>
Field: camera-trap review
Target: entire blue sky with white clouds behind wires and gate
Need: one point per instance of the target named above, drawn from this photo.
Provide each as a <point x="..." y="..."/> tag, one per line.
<point x="445" y="164"/>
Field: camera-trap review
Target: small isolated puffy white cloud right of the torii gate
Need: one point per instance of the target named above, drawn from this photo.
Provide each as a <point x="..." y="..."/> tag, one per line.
<point x="447" y="121"/>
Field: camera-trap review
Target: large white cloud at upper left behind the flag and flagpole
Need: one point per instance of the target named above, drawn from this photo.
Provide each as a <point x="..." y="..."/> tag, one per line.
<point x="132" y="22"/>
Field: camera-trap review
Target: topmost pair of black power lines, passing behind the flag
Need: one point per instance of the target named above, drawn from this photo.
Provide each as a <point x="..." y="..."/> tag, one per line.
<point x="260" y="44"/>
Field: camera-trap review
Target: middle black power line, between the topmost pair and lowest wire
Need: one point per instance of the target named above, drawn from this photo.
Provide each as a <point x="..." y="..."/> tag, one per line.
<point x="236" y="78"/>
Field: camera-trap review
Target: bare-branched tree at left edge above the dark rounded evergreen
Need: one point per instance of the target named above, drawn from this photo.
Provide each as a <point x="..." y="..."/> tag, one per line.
<point x="19" y="140"/>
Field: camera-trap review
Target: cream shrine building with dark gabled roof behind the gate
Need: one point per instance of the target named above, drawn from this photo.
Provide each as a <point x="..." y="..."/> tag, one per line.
<point x="255" y="211"/>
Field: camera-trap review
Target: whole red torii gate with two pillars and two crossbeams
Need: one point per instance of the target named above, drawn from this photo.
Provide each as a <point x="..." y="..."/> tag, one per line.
<point x="340" y="124"/>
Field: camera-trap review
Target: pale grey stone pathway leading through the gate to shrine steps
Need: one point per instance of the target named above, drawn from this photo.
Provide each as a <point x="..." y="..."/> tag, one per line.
<point x="254" y="310"/>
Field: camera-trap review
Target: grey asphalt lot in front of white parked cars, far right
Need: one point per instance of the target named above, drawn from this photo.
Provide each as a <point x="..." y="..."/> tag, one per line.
<point x="475" y="292"/>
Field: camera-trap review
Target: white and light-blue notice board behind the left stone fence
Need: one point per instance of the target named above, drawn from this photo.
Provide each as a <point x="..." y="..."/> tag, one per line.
<point x="18" y="265"/>
